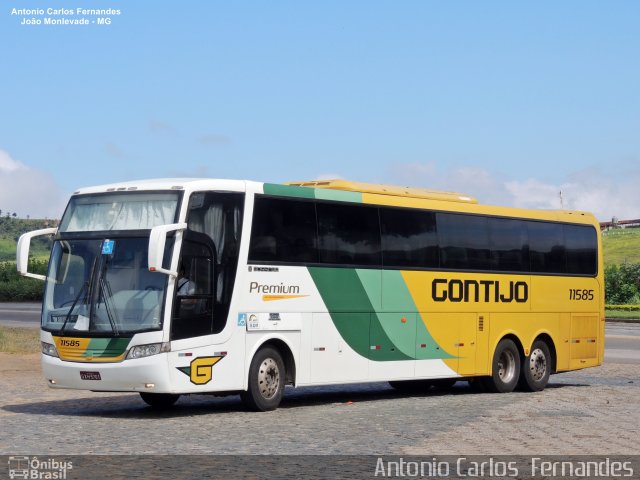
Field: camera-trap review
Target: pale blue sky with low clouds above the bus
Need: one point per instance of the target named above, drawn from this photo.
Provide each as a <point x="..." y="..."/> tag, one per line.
<point x="511" y="102"/>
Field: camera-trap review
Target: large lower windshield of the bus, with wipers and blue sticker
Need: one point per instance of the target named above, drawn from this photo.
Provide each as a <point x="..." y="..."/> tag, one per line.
<point x="102" y="286"/>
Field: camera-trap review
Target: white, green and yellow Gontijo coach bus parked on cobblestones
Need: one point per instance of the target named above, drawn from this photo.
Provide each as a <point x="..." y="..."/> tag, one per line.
<point x="312" y="283"/>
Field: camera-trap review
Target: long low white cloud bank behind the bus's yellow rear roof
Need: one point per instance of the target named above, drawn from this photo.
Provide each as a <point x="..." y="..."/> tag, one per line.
<point x="605" y="194"/>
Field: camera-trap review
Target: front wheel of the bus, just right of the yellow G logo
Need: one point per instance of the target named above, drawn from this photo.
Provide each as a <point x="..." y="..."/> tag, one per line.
<point x="267" y="377"/>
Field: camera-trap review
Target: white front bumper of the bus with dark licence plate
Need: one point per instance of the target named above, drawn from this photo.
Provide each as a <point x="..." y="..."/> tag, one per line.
<point x="149" y="374"/>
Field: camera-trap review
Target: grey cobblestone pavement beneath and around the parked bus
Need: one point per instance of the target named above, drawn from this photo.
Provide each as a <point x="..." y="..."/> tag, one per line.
<point x="595" y="411"/>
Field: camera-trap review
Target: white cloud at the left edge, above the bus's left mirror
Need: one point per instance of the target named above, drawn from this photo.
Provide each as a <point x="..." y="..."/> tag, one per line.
<point x="28" y="191"/>
